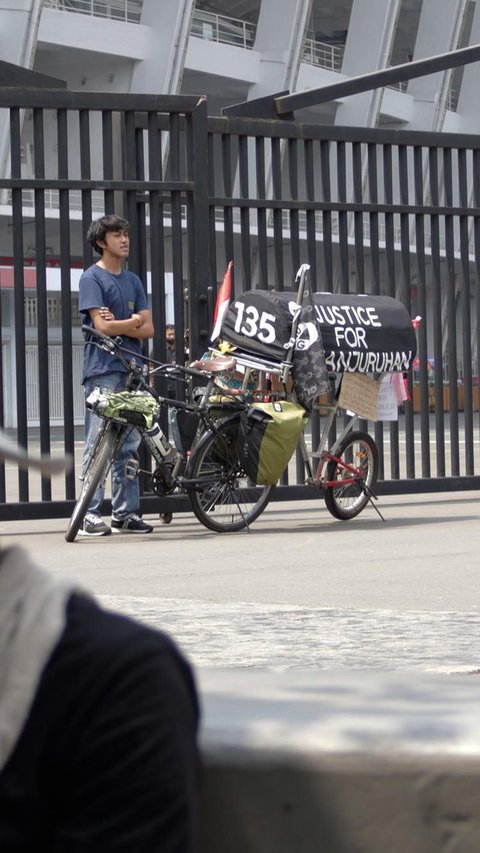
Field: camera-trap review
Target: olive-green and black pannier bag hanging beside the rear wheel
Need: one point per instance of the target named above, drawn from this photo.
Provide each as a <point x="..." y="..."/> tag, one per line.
<point x="269" y="433"/>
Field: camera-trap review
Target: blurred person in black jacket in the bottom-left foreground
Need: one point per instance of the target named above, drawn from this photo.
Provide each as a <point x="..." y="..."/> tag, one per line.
<point x="98" y="720"/>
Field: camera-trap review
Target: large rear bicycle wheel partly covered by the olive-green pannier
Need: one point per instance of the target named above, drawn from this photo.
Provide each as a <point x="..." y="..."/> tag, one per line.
<point x="222" y="497"/>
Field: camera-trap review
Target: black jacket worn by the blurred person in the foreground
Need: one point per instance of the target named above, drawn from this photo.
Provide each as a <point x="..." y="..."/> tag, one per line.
<point x="107" y="760"/>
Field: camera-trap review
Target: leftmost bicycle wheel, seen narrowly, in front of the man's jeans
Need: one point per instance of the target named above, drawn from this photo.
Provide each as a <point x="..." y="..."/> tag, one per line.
<point x="101" y="458"/>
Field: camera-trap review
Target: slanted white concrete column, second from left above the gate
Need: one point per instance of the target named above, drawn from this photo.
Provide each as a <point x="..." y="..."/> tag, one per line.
<point x="161" y="71"/>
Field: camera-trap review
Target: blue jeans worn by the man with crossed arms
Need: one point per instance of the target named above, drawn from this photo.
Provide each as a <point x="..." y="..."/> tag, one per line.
<point x="125" y="493"/>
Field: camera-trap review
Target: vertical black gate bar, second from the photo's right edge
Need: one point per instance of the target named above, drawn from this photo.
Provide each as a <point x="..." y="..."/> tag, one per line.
<point x="464" y="282"/>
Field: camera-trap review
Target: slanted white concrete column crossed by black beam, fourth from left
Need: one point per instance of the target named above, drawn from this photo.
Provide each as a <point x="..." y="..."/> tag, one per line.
<point x="371" y="32"/>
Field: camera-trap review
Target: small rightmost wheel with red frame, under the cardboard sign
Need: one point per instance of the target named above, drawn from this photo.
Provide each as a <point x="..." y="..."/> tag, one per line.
<point x="355" y="475"/>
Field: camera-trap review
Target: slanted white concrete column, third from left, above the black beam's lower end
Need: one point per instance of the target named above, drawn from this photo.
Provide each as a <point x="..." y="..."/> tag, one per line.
<point x="279" y="41"/>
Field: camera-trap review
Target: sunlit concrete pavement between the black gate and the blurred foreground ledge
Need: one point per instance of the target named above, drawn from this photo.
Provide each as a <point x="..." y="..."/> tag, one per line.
<point x="300" y="590"/>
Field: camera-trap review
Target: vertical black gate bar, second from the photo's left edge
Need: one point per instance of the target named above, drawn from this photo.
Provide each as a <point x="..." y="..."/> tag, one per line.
<point x="42" y="316"/>
